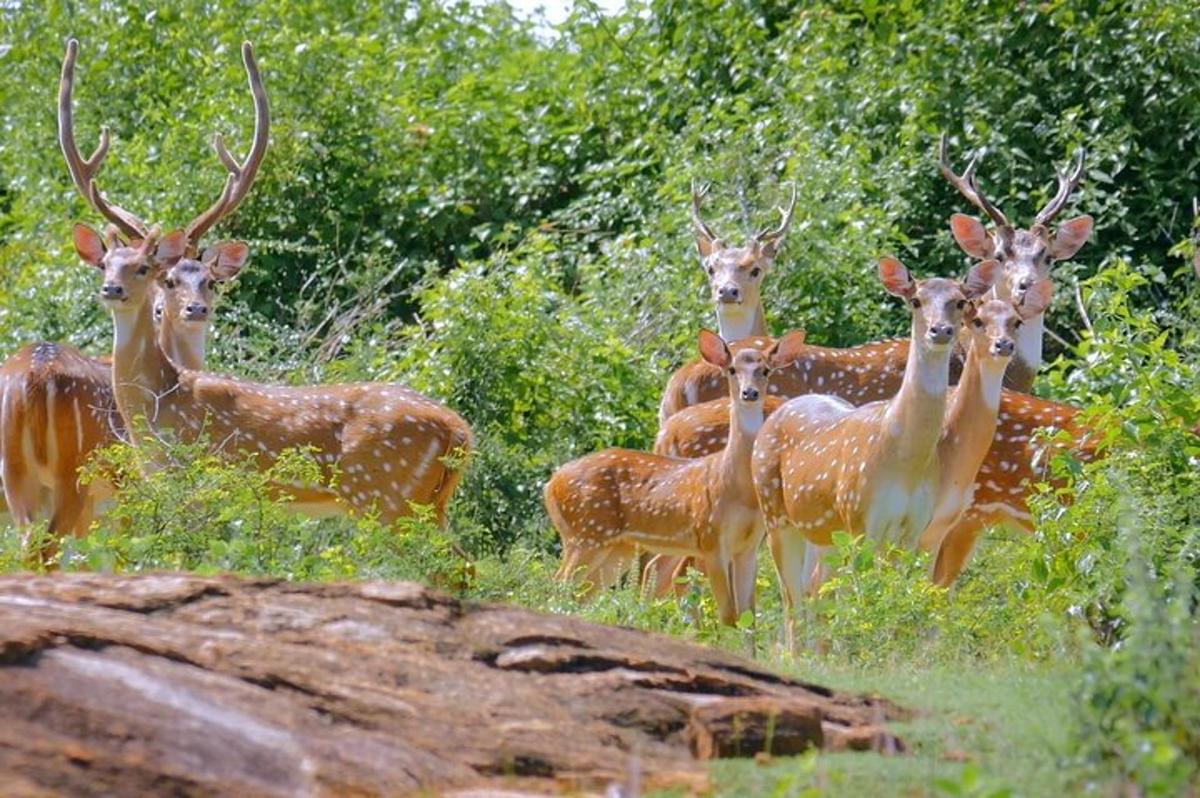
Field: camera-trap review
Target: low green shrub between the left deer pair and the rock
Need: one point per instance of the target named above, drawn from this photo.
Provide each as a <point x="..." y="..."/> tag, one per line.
<point x="202" y="513"/>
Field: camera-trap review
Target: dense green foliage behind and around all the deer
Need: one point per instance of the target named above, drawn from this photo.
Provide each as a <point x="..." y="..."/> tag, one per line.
<point x="496" y="214"/>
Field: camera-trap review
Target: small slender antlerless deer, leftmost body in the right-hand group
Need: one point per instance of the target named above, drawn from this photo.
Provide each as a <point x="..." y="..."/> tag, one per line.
<point x="609" y="505"/>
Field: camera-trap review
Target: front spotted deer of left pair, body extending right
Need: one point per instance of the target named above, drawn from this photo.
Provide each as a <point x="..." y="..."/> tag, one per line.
<point x="383" y="448"/>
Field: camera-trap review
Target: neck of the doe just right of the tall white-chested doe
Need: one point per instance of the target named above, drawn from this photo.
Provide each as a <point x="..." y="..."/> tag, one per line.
<point x="971" y="416"/>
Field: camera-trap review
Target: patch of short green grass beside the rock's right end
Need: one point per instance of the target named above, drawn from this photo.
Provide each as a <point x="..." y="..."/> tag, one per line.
<point x="979" y="730"/>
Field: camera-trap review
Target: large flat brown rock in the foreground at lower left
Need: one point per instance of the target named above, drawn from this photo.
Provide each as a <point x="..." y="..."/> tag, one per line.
<point x="184" y="685"/>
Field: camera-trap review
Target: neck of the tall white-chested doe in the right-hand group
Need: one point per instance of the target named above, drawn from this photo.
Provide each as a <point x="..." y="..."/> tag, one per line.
<point x="914" y="419"/>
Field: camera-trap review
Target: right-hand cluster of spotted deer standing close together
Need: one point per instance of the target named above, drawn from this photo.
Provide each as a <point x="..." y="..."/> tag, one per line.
<point x="920" y="443"/>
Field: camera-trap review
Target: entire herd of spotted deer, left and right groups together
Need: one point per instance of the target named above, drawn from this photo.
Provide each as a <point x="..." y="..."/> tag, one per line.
<point x="921" y="442"/>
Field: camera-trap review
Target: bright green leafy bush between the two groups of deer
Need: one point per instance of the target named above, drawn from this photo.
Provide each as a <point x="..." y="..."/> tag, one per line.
<point x="547" y="380"/>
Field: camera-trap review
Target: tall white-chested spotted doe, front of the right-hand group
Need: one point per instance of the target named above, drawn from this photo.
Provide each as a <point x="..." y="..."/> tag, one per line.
<point x="821" y="465"/>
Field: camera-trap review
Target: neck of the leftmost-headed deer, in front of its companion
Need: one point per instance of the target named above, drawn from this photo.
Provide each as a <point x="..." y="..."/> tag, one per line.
<point x="143" y="376"/>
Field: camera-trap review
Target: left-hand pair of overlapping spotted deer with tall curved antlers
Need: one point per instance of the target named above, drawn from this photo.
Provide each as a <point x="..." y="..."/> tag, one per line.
<point x="383" y="448"/>
